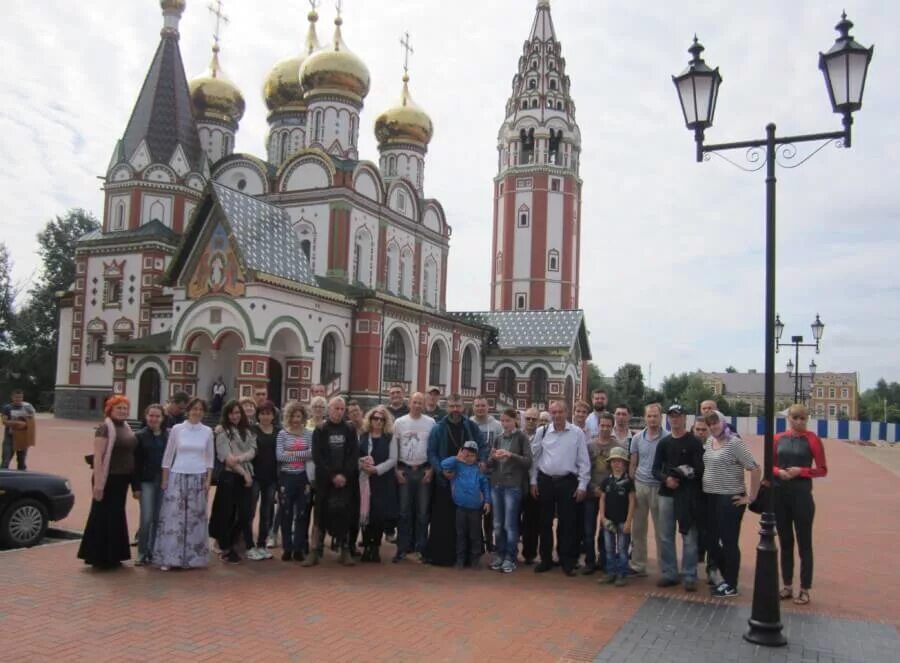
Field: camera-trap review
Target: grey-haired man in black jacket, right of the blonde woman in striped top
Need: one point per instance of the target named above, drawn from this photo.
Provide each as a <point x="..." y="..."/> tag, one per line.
<point x="336" y="456"/>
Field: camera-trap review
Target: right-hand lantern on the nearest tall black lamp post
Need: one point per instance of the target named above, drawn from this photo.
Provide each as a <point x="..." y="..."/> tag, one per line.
<point x="845" y="67"/>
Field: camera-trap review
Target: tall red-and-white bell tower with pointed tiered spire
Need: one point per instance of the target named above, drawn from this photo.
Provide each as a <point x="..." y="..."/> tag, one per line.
<point x="537" y="191"/>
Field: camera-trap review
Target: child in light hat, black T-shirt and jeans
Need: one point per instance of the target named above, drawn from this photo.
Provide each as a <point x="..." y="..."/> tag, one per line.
<point x="617" y="512"/>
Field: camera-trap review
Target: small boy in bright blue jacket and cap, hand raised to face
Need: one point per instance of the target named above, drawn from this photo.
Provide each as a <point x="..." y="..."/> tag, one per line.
<point x="472" y="496"/>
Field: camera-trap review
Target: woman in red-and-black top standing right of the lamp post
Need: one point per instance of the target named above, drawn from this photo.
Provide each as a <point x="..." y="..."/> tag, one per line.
<point x="799" y="457"/>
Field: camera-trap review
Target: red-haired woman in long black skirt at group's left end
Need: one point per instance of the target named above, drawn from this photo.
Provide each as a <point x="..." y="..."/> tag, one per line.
<point x="105" y="541"/>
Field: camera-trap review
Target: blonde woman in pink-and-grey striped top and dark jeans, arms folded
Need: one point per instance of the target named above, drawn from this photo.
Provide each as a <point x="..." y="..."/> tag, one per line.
<point x="293" y="449"/>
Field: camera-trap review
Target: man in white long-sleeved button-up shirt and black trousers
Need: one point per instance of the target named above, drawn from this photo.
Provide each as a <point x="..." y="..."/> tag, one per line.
<point x="559" y="478"/>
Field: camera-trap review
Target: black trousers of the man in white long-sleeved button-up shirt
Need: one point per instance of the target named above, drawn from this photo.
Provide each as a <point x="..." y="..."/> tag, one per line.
<point x="557" y="499"/>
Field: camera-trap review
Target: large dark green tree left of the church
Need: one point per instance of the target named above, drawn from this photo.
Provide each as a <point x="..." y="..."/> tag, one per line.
<point x="36" y="329"/>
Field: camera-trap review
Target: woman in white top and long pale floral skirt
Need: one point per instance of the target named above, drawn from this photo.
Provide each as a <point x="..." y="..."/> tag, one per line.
<point x="181" y="538"/>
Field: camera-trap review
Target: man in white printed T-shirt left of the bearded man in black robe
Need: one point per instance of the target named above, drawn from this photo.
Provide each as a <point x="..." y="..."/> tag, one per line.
<point x="414" y="476"/>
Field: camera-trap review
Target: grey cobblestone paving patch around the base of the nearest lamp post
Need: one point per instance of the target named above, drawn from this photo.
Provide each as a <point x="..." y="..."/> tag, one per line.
<point x="666" y="629"/>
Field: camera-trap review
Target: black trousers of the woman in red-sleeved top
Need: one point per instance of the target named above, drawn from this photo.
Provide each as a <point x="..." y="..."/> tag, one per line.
<point x="794" y="513"/>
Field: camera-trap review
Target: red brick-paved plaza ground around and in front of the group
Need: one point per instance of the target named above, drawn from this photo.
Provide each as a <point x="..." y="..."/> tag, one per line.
<point x="56" y="608"/>
